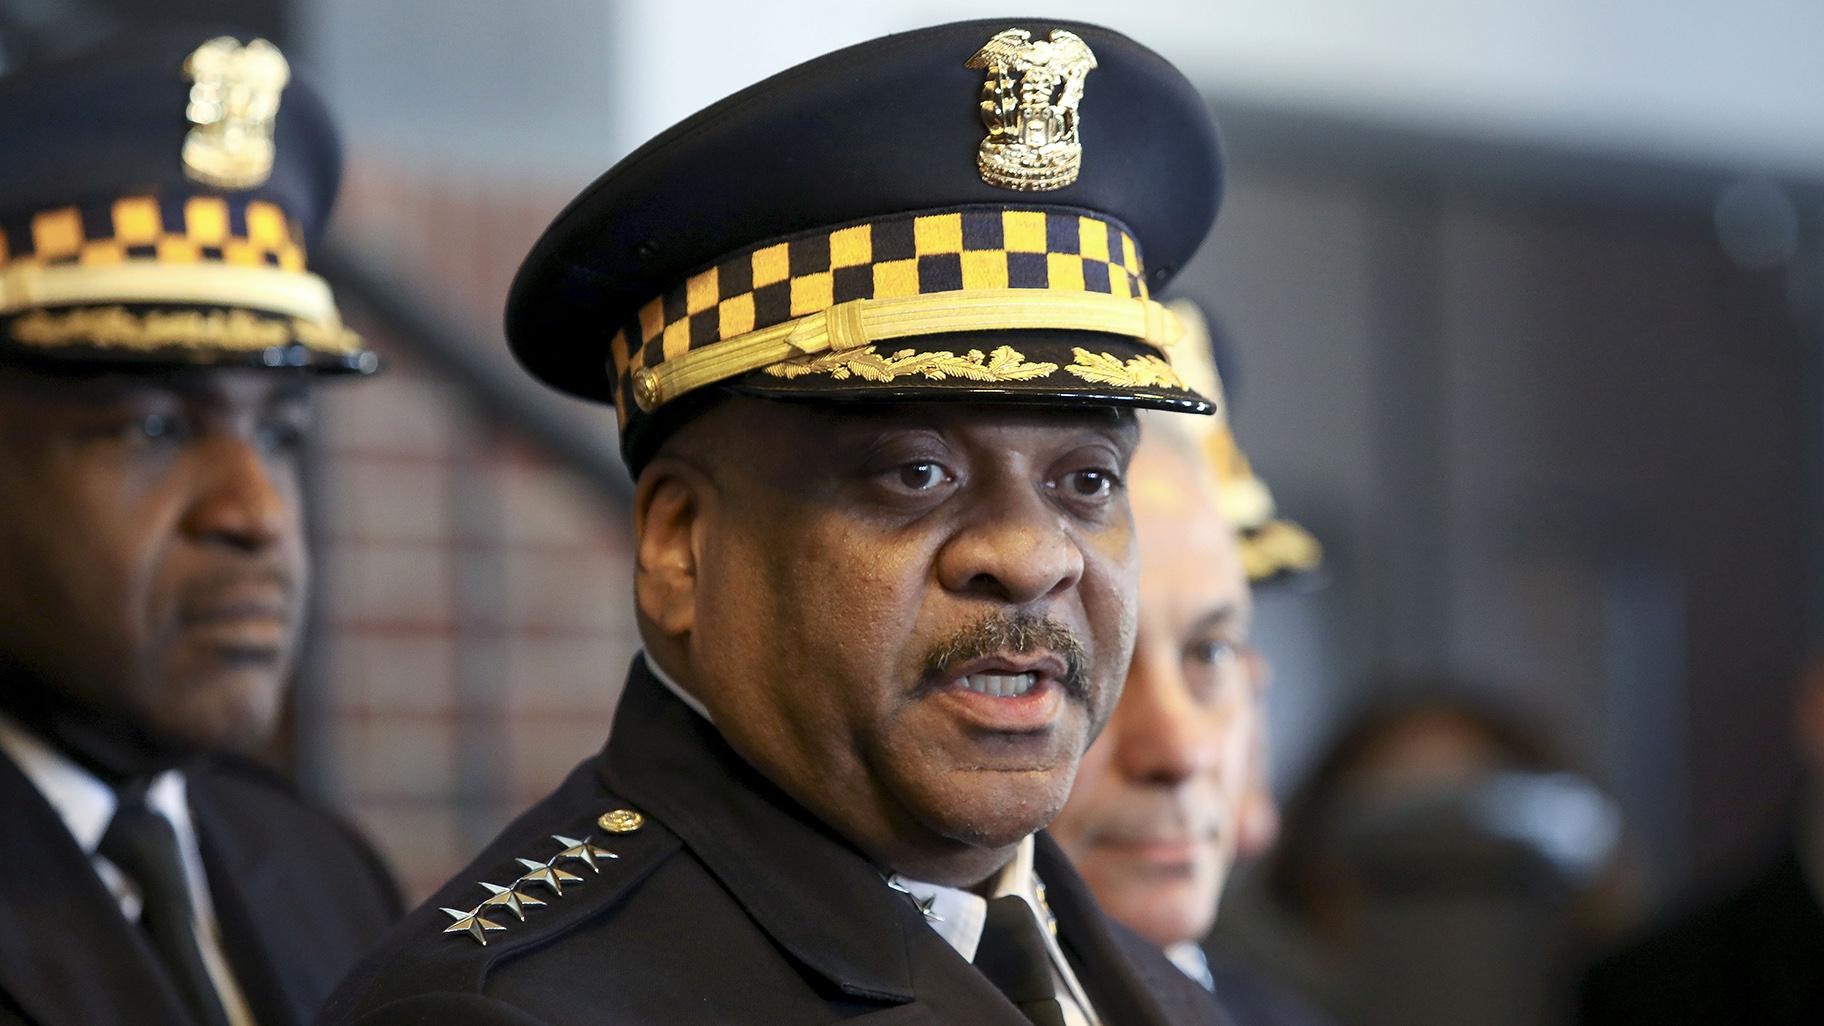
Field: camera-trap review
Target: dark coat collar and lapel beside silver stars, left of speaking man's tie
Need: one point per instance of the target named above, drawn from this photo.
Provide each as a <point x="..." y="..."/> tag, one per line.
<point x="800" y="881"/>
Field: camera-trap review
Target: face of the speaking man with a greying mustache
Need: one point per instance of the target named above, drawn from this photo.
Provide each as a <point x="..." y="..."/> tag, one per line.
<point x="915" y="620"/>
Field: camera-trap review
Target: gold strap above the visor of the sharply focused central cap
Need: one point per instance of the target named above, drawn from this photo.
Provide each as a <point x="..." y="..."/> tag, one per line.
<point x="865" y="322"/>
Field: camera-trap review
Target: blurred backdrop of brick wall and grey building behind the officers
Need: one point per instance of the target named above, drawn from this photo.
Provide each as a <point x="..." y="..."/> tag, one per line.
<point x="1526" y="304"/>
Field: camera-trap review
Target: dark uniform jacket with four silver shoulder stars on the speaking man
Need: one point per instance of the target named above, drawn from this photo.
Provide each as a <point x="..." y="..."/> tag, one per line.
<point x="731" y="905"/>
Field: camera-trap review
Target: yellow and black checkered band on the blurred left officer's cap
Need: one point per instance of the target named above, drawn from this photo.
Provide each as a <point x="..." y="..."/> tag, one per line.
<point x="185" y="229"/>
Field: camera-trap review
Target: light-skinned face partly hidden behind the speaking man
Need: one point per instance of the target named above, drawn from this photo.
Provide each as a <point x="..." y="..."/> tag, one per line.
<point x="1156" y="815"/>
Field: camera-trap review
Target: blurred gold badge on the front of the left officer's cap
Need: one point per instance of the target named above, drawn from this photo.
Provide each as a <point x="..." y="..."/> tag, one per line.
<point x="234" y="99"/>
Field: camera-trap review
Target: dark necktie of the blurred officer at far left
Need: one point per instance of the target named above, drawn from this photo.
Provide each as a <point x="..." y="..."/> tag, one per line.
<point x="145" y="846"/>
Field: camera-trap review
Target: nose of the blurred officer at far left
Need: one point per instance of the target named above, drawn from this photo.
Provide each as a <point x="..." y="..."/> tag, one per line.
<point x="242" y="499"/>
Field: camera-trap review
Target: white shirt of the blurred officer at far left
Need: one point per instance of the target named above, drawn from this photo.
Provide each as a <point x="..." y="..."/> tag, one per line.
<point x="87" y="808"/>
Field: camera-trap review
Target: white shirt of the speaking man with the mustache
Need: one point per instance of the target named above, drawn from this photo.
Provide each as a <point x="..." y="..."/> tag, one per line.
<point x="960" y="916"/>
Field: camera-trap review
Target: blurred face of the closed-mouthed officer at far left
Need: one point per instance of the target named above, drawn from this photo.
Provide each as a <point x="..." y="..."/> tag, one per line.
<point x="152" y="563"/>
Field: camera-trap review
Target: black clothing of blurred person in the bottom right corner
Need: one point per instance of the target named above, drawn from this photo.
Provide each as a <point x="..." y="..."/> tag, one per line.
<point x="1754" y="959"/>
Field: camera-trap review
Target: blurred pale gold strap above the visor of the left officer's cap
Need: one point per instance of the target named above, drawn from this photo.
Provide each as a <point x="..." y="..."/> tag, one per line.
<point x="291" y="293"/>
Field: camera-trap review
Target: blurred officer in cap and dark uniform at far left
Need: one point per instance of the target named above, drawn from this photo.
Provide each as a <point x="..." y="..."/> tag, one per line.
<point x="160" y="337"/>
